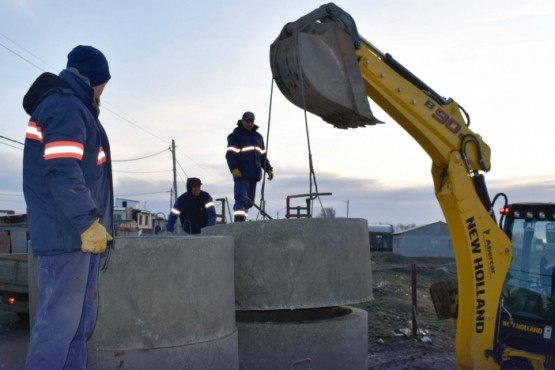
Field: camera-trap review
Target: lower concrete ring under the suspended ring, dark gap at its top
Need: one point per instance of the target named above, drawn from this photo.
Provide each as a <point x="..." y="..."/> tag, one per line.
<point x="324" y="339"/>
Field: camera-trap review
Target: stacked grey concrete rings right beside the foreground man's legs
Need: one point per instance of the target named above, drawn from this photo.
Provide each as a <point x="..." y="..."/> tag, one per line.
<point x="166" y="302"/>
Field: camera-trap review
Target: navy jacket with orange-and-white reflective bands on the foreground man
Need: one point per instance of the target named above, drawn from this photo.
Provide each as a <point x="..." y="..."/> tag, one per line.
<point x="67" y="175"/>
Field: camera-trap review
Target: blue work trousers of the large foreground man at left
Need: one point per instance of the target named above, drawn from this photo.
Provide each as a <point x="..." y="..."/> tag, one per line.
<point x="66" y="311"/>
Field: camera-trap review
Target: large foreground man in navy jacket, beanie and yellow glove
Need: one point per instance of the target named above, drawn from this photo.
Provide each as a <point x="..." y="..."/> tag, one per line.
<point x="67" y="183"/>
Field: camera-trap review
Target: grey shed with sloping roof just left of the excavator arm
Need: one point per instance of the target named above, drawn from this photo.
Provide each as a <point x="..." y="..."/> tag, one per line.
<point x="432" y="240"/>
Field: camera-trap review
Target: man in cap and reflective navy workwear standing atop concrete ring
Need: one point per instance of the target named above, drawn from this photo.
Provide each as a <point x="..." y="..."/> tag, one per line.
<point x="246" y="158"/>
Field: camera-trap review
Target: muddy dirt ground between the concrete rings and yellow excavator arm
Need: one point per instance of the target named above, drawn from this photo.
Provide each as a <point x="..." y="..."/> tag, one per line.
<point x="391" y="345"/>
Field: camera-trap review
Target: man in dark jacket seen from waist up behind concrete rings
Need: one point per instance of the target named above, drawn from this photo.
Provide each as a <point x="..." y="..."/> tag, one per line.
<point x="195" y="209"/>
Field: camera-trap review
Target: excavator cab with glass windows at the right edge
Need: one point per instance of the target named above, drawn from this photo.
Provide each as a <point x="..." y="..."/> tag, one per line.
<point x="527" y="307"/>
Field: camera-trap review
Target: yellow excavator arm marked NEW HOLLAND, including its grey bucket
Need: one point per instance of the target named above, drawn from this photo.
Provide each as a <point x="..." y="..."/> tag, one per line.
<point x="321" y="64"/>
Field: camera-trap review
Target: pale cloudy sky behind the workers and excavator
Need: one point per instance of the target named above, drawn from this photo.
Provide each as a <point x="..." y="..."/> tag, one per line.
<point x="186" y="71"/>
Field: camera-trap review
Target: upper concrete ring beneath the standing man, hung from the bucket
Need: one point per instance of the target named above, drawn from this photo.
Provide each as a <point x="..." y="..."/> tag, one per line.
<point x="300" y="263"/>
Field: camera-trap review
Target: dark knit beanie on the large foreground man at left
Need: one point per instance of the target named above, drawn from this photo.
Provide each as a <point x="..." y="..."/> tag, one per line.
<point x="91" y="63"/>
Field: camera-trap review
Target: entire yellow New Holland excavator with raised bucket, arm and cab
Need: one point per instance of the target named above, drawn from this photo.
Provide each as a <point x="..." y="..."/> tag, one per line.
<point x="503" y="311"/>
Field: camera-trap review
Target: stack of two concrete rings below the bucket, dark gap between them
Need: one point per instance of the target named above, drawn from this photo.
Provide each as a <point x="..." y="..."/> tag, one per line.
<point x="293" y="280"/>
